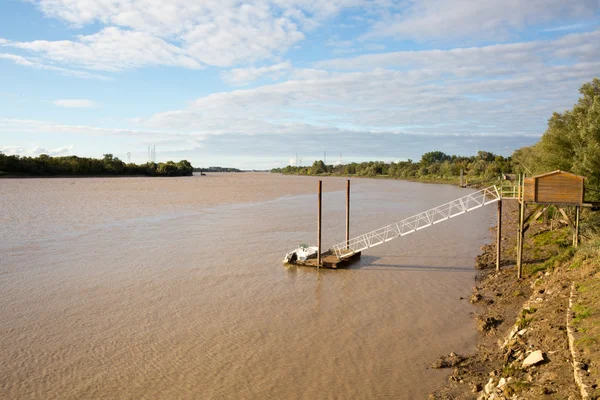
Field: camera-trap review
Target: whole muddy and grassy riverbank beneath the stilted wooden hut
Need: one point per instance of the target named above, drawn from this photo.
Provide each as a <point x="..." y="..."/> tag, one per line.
<point x="519" y="320"/>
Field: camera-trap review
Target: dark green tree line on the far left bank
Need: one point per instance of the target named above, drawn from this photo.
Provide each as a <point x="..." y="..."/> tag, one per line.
<point x="45" y="165"/>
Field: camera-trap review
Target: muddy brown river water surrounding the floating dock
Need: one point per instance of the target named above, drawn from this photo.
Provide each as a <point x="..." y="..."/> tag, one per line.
<point x="128" y="288"/>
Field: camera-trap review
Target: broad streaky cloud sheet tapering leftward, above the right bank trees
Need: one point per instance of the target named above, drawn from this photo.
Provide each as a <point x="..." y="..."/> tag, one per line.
<point x="502" y="90"/>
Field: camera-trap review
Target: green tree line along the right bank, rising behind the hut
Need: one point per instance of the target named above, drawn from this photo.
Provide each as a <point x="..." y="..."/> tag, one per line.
<point x="570" y="143"/>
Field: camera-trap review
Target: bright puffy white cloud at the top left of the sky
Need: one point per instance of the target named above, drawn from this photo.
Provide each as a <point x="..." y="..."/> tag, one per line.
<point x="184" y="33"/>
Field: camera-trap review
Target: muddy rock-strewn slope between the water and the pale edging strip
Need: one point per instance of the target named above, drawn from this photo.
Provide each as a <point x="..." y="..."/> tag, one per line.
<point x="523" y="349"/>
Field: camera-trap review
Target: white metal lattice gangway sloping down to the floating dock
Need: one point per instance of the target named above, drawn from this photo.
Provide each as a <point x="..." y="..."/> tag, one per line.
<point x="419" y="221"/>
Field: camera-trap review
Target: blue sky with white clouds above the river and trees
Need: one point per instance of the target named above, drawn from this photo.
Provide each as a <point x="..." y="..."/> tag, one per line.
<point x="262" y="83"/>
